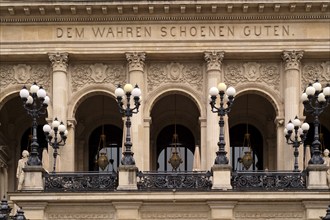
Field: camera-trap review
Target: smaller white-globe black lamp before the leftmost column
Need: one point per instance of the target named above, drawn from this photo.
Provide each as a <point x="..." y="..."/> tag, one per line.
<point x="56" y="136"/>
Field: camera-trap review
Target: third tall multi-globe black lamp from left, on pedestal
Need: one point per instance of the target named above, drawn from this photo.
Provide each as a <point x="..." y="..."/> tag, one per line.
<point x="226" y="97"/>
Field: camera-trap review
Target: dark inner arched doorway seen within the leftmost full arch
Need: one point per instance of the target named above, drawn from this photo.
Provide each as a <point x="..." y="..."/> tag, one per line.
<point x="110" y="147"/>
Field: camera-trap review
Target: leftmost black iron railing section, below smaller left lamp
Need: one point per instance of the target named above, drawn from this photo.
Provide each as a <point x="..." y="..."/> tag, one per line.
<point x="81" y="181"/>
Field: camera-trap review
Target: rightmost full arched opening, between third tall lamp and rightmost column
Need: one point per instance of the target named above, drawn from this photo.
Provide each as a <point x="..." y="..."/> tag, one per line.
<point x="253" y="113"/>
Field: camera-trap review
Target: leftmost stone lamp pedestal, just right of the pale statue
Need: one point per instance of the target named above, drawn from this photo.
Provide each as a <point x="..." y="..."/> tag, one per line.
<point x="33" y="180"/>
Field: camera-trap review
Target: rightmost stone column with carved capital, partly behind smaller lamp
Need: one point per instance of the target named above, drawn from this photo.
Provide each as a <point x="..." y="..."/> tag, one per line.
<point x="292" y="94"/>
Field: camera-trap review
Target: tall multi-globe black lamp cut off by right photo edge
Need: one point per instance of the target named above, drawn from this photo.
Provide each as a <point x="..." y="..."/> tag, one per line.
<point x="315" y="101"/>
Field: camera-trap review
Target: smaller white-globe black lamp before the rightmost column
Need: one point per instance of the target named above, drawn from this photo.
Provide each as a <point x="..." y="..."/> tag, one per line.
<point x="299" y="131"/>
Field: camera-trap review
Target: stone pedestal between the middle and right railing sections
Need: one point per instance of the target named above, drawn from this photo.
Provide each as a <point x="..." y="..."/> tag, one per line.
<point x="221" y="177"/>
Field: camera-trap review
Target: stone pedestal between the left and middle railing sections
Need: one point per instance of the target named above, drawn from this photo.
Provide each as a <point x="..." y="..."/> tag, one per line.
<point x="127" y="177"/>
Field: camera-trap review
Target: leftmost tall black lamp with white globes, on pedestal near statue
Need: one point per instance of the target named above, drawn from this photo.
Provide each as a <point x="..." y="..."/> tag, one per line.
<point x="35" y="102"/>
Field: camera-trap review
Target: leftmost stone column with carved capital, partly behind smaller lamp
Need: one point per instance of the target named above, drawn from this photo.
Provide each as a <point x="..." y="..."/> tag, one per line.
<point x="59" y="62"/>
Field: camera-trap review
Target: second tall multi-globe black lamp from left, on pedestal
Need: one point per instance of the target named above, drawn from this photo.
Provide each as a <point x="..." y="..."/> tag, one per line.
<point x="123" y="99"/>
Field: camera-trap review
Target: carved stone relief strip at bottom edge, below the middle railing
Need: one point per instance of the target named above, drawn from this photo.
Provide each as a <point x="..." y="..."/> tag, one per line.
<point x="174" y="215"/>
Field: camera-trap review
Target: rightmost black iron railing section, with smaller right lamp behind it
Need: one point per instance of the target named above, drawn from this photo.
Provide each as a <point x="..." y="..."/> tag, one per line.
<point x="272" y="180"/>
